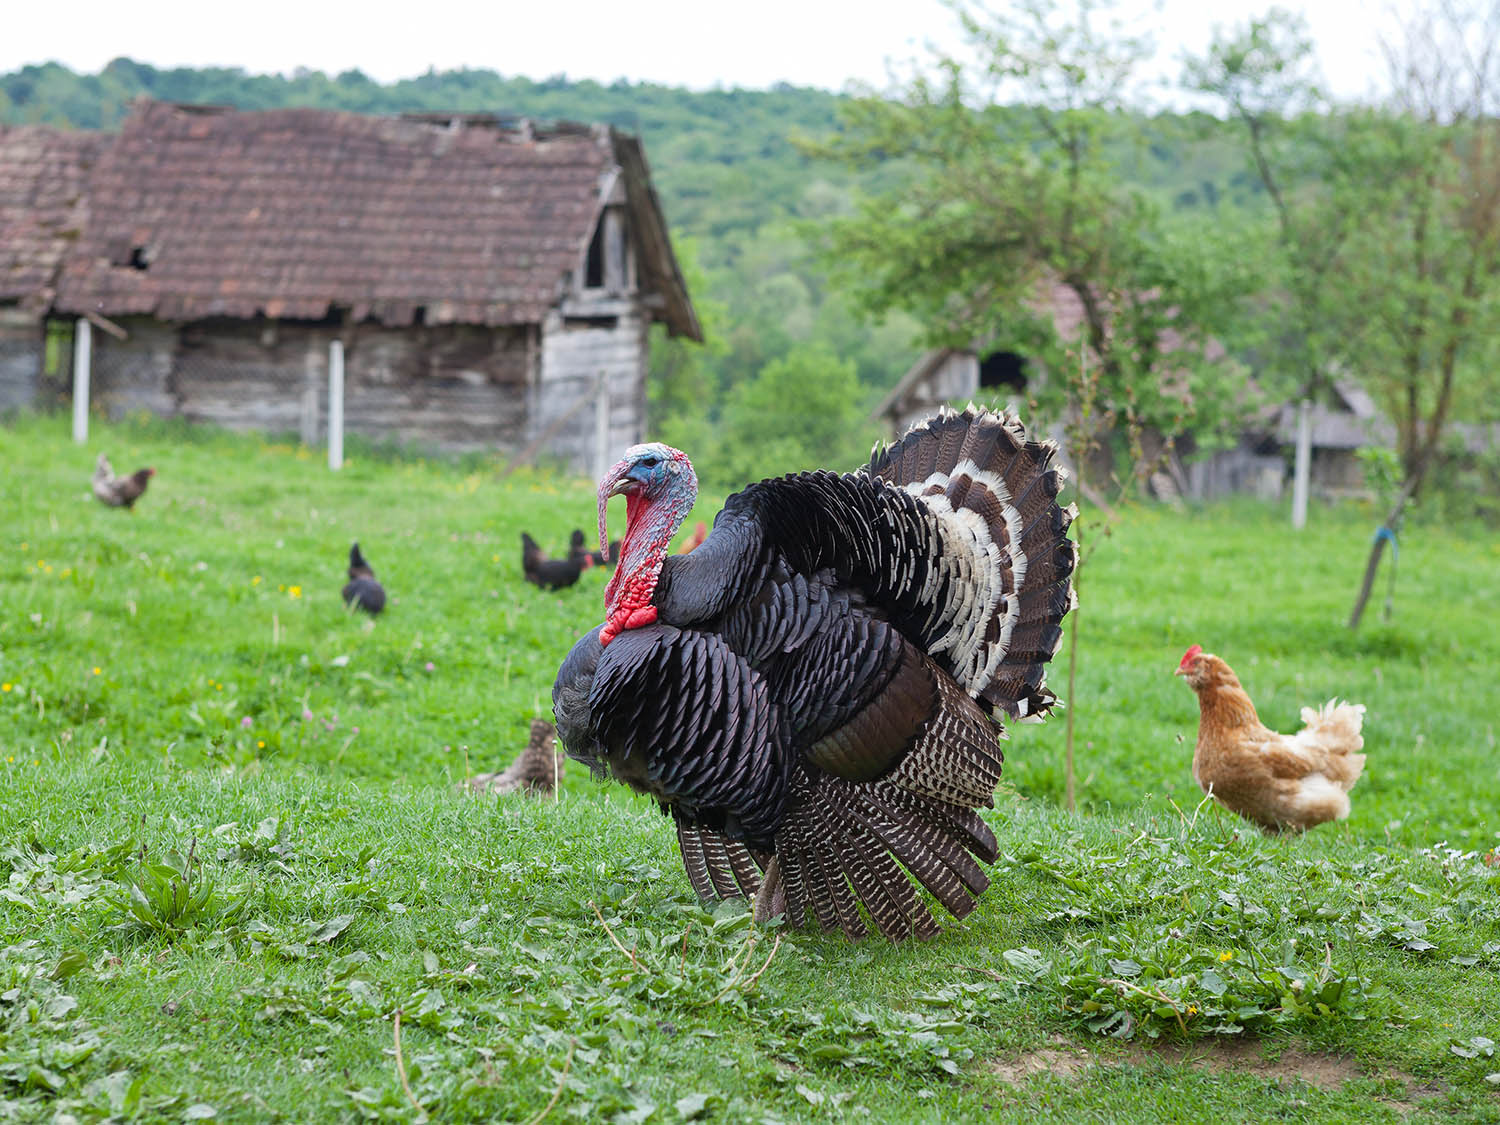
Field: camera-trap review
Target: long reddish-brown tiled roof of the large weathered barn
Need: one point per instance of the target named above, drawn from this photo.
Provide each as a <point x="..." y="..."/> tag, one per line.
<point x="307" y="214"/>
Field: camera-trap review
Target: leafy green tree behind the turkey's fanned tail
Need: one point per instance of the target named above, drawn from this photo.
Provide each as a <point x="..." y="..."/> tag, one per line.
<point x="1010" y="214"/>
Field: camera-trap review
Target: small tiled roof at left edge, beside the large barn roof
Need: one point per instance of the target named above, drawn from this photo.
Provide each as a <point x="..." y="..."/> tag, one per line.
<point x="43" y="211"/>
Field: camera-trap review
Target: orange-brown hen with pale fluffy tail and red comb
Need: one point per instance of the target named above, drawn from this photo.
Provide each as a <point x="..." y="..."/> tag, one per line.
<point x="1280" y="782"/>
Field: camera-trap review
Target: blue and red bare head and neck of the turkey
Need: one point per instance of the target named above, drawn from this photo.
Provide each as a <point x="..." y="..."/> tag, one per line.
<point x="659" y="487"/>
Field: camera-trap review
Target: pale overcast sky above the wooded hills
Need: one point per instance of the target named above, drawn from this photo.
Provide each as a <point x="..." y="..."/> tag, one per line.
<point x="698" y="44"/>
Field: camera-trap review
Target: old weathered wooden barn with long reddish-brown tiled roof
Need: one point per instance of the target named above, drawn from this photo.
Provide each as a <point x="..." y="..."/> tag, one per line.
<point x="488" y="284"/>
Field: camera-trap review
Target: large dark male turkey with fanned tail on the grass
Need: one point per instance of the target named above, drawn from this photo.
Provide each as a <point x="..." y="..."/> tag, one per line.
<point x="817" y="691"/>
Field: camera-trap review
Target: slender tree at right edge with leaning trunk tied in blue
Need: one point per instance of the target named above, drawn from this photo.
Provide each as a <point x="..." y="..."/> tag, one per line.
<point x="1432" y="251"/>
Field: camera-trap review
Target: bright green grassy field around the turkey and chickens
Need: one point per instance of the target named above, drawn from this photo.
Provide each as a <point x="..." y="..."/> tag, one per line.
<point x="241" y="884"/>
